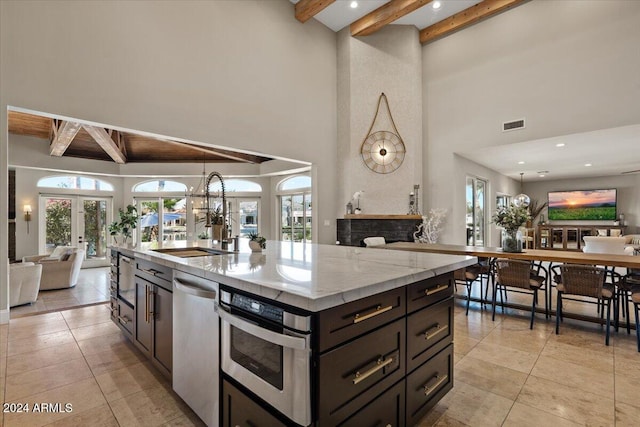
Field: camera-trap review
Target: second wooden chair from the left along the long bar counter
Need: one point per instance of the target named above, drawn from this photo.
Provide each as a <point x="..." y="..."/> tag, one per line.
<point x="516" y="274"/>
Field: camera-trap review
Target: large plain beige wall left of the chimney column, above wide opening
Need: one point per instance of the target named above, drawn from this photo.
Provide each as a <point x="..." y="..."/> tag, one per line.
<point x="243" y="74"/>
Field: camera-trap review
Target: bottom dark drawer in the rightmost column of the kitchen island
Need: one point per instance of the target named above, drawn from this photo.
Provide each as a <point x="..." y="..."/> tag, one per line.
<point x="428" y="384"/>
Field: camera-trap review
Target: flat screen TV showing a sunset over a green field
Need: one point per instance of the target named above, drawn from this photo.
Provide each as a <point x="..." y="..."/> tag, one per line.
<point x="582" y="205"/>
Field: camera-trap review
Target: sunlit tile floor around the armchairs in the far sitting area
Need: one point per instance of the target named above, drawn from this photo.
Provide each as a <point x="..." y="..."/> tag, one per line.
<point x="92" y="288"/>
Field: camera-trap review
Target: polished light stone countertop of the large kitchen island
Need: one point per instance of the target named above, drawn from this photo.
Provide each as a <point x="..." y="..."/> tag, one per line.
<point x="309" y="276"/>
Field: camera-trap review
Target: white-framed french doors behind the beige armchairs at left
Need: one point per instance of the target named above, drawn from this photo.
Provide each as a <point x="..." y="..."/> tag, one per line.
<point x="79" y="221"/>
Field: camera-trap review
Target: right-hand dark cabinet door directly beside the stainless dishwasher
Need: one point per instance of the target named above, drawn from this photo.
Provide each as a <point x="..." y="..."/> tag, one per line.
<point x="163" y="327"/>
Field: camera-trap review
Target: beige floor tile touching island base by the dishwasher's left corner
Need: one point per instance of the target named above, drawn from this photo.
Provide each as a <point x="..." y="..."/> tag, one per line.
<point x="129" y="380"/>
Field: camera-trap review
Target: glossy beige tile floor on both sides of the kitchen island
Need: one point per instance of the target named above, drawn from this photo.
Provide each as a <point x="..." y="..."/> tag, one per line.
<point x="505" y="374"/>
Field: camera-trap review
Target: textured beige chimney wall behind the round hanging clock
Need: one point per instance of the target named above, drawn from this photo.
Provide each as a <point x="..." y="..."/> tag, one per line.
<point x="388" y="61"/>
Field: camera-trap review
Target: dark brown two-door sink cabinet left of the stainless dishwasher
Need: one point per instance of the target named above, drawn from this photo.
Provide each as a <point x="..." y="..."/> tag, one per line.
<point x="154" y="314"/>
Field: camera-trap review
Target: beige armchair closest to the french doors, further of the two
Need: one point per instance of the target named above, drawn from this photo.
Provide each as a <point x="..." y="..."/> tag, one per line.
<point x="60" y="269"/>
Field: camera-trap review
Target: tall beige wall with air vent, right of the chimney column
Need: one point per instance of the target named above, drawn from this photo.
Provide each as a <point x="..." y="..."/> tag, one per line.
<point x="577" y="72"/>
